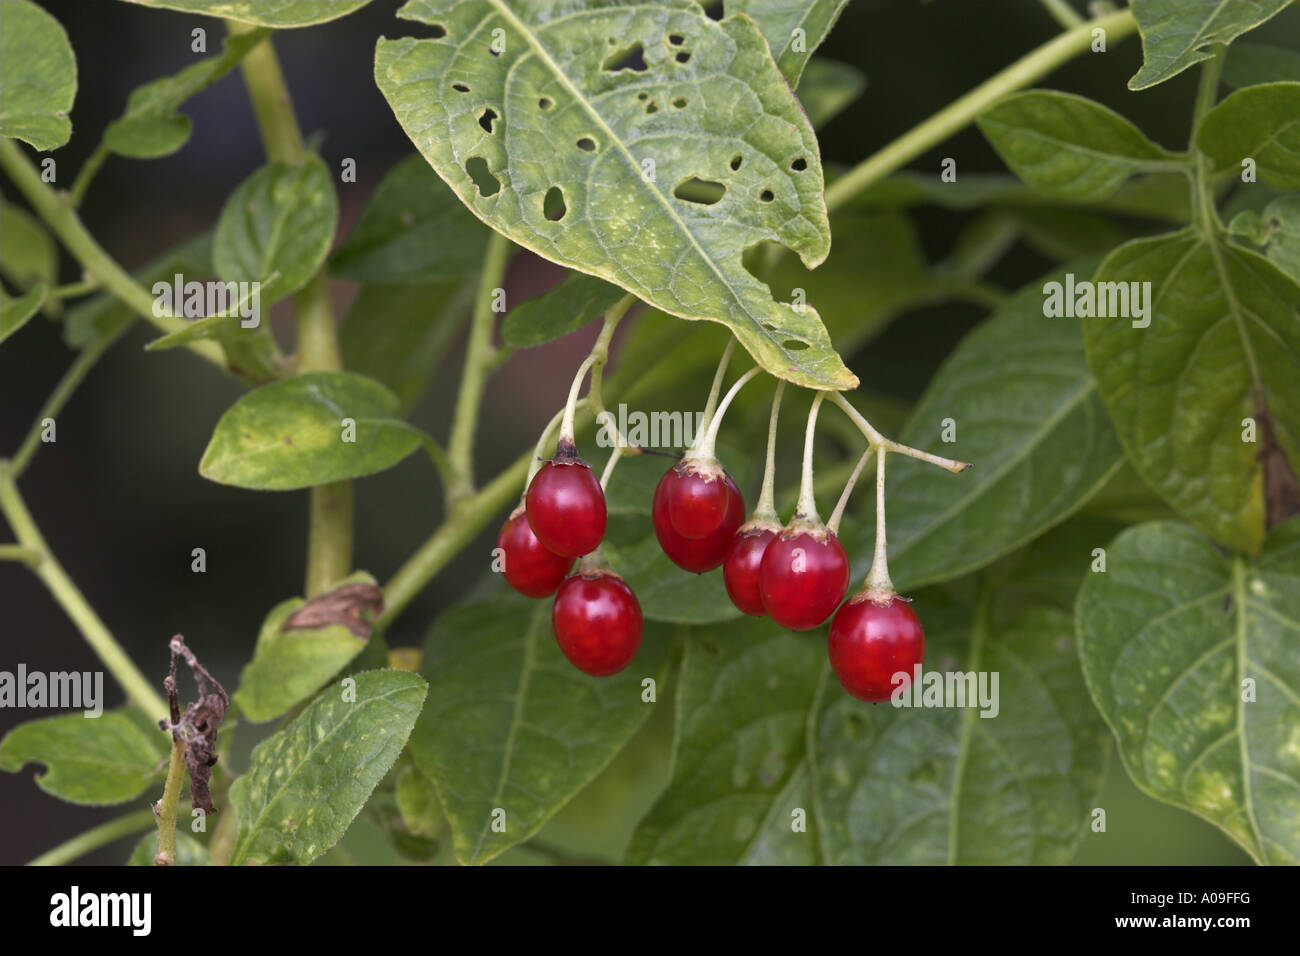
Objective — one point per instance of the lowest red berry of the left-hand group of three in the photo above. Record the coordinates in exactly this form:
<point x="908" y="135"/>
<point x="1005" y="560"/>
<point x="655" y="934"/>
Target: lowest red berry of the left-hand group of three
<point x="597" y="622"/>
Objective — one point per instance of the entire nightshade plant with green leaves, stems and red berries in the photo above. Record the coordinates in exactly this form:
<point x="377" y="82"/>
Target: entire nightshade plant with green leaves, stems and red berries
<point x="1125" y="553"/>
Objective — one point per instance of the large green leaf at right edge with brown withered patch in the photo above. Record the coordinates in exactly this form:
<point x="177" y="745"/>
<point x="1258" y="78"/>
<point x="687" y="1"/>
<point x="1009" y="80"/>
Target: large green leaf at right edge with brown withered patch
<point x="1223" y="335"/>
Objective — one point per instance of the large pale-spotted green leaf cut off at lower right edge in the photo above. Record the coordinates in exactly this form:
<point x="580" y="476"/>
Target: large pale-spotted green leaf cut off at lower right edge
<point x="1169" y="638"/>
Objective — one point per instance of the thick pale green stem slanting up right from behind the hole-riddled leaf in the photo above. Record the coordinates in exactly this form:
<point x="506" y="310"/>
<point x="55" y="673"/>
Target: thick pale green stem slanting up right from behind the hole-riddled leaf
<point x="963" y="111"/>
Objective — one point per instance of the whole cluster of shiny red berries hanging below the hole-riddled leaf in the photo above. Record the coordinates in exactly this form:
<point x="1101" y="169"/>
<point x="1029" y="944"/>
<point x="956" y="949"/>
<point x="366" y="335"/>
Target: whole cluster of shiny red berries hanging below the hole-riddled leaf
<point x="799" y="576"/>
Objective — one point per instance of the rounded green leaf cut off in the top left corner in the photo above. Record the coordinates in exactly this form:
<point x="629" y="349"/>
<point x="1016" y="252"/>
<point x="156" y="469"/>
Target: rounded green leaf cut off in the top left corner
<point x="38" y="76"/>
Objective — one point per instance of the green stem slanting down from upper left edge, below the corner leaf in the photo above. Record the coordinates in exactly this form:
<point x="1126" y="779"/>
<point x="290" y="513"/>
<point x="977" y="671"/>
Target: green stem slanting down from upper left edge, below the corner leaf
<point x="96" y="262"/>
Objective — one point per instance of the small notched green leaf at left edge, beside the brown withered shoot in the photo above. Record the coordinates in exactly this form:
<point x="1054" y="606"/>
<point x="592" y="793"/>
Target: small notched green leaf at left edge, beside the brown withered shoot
<point x="106" y="760"/>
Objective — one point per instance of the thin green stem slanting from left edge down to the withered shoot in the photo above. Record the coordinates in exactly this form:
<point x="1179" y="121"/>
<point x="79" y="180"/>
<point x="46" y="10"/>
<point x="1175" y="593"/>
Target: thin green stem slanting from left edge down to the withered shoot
<point x="54" y="577"/>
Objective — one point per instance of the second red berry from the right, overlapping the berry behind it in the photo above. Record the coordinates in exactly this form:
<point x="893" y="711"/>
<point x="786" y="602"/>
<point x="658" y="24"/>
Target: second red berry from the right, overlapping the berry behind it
<point x="804" y="577"/>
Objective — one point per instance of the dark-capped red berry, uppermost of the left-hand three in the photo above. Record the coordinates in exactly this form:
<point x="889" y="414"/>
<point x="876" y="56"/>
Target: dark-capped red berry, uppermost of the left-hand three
<point x="566" y="508"/>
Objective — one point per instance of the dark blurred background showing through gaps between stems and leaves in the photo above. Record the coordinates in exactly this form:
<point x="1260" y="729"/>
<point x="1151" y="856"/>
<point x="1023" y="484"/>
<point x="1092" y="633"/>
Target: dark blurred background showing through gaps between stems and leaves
<point x="119" y="496"/>
